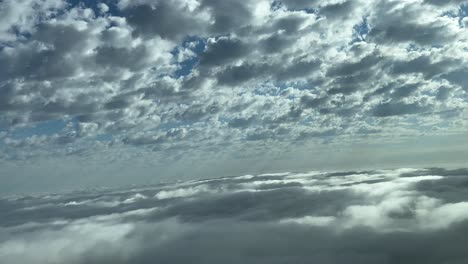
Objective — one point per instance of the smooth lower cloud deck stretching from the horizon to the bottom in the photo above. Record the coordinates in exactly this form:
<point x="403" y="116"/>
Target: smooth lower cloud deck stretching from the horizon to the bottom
<point x="380" y="216"/>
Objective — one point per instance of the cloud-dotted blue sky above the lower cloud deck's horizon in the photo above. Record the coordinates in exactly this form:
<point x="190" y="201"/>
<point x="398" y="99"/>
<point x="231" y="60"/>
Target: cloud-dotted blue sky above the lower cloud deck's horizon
<point x="118" y="92"/>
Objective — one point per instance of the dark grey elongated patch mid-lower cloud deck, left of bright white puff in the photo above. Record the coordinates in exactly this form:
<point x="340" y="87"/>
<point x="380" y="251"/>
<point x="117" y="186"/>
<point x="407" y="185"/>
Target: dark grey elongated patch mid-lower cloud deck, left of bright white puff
<point x="261" y="206"/>
